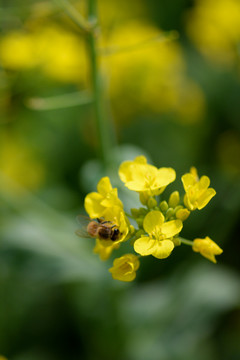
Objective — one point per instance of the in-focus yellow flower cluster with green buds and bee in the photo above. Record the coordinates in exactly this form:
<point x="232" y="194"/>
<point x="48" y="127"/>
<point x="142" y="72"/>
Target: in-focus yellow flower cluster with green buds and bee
<point x="159" y="222"/>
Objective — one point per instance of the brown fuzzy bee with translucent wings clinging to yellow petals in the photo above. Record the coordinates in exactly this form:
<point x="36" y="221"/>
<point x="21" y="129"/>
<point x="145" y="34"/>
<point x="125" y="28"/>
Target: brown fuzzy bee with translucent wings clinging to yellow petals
<point x="99" y="228"/>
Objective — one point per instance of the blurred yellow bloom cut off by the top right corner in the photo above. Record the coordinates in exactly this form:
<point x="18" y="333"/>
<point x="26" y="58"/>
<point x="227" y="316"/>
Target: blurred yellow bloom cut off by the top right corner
<point x="214" y="26"/>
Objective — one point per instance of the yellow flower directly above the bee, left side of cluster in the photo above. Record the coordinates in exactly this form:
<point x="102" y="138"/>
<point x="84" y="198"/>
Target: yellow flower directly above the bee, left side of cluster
<point x="96" y="203"/>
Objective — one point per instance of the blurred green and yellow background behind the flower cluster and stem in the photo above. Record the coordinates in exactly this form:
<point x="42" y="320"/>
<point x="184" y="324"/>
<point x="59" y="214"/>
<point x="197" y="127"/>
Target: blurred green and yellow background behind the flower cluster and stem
<point x="171" y="80"/>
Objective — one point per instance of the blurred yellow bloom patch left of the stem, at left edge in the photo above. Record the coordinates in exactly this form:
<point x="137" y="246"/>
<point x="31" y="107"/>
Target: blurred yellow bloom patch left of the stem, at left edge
<point x="59" y="53"/>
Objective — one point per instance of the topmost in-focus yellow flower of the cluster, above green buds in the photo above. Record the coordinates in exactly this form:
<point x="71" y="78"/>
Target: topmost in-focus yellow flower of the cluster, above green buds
<point x="142" y="177"/>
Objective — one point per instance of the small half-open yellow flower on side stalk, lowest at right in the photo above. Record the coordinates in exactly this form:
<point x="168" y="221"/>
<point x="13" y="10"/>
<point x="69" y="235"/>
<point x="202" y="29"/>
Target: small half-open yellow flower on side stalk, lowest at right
<point x="207" y="248"/>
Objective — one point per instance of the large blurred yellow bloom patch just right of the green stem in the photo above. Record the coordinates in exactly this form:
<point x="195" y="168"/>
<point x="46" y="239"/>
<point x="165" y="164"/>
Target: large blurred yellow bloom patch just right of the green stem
<point x="150" y="69"/>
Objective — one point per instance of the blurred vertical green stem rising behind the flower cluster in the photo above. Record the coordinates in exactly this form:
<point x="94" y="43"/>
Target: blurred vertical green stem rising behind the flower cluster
<point x="102" y="122"/>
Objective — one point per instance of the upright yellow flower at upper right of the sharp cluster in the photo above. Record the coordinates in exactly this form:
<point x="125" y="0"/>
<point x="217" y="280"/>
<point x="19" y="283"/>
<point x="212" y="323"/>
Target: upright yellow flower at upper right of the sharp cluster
<point x="198" y="194"/>
